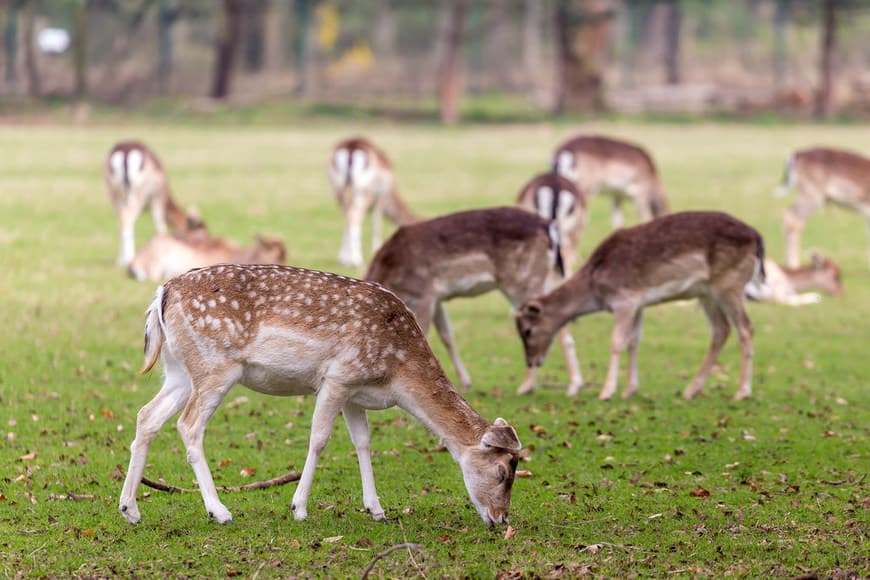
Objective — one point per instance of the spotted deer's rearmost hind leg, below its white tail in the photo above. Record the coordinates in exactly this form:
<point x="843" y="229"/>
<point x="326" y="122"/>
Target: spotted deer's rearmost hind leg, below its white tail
<point x="165" y="405"/>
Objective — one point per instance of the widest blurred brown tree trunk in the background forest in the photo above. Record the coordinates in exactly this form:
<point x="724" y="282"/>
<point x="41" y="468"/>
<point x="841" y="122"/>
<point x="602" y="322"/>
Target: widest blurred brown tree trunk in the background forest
<point x="582" y="37"/>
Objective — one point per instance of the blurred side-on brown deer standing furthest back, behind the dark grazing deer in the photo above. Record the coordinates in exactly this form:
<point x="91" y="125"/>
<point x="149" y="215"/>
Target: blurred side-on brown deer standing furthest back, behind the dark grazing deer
<point x="620" y="169"/>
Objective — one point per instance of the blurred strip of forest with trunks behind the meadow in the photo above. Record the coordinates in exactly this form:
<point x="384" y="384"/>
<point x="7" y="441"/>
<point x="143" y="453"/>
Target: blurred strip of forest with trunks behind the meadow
<point x="793" y="57"/>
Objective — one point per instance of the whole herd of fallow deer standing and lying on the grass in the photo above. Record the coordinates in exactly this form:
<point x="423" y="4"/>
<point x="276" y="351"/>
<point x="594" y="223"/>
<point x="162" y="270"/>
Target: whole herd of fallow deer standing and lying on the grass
<point x="234" y="315"/>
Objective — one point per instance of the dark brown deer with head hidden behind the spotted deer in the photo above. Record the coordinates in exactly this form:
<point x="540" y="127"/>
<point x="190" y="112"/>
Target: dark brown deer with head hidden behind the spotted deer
<point x="467" y="254"/>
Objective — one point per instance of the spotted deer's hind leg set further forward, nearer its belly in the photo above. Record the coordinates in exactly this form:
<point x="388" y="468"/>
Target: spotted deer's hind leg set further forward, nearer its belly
<point x="203" y="402"/>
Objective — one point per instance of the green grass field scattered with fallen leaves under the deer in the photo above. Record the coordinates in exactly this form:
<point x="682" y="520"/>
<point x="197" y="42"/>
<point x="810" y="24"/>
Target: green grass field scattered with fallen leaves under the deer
<point x="652" y="486"/>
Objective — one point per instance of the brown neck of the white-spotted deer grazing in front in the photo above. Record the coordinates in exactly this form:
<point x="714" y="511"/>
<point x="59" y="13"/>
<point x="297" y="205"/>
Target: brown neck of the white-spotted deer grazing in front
<point x="431" y="398"/>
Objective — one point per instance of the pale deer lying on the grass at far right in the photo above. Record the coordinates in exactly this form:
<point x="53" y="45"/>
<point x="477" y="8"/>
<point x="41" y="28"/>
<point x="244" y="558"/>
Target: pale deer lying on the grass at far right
<point x="788" y="285"/>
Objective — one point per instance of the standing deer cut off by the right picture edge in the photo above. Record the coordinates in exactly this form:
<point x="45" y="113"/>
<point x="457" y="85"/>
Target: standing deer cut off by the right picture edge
<point x="819" y="176"/>
